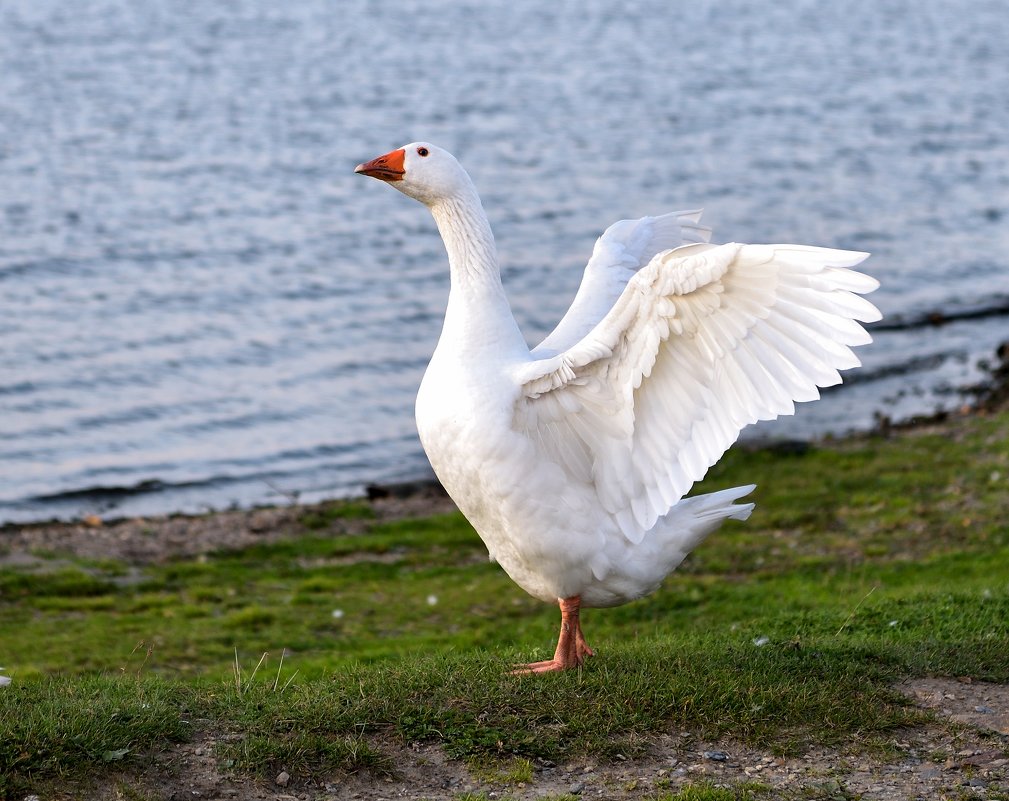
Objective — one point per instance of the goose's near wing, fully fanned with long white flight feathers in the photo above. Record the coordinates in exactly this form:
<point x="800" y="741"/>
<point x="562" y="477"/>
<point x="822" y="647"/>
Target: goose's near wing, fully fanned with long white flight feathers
<point x="703" y="341"/>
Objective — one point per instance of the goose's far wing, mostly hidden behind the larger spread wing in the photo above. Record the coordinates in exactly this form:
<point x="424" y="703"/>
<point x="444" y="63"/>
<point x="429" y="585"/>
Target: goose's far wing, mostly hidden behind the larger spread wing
<point x="622" y="251"/>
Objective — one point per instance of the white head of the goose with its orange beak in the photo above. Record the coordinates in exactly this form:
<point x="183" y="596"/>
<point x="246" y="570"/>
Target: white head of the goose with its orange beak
<point x="420" y="170"/>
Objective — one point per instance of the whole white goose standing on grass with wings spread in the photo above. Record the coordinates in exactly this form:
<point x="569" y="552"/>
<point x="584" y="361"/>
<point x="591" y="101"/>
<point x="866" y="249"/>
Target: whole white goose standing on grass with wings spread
<point x="572" y="461"/>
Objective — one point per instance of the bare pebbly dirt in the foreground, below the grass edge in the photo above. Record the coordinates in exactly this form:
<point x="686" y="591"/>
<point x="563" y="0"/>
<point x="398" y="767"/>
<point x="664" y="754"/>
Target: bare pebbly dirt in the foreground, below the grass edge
<point x="964" y="755"/>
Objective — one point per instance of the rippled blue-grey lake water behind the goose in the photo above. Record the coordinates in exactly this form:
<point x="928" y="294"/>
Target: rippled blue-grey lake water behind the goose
<point x="201" y="305"/>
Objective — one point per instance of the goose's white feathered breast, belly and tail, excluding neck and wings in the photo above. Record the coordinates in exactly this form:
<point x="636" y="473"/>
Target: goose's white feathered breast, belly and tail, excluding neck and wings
<point x="548" y="533"/>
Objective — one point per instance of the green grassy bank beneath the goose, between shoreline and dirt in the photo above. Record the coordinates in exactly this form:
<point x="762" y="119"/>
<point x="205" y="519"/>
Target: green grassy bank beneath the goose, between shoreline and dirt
<point x="867" y="561"/>
